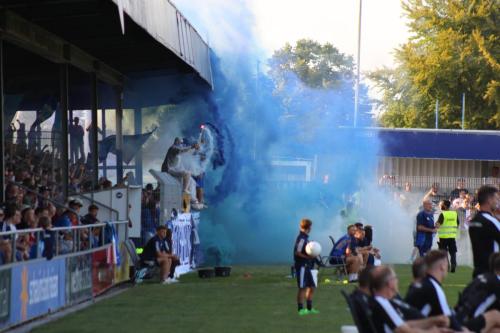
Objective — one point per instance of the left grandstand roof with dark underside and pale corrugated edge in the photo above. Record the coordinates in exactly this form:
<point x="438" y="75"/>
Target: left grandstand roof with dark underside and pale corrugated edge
<point x="157" y="41"/>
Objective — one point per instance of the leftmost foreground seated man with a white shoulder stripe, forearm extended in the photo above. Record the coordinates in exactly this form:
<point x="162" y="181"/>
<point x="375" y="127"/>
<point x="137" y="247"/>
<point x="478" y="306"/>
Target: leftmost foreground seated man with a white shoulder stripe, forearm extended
<point x="388" y="314"/>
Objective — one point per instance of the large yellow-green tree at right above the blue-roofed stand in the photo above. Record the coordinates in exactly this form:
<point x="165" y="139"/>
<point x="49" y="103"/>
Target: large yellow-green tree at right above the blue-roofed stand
<point x="454" y="49"/>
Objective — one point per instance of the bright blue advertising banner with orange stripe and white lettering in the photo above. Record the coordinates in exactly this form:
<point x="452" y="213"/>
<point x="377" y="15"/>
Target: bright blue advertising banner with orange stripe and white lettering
<point x="39" y="288"/>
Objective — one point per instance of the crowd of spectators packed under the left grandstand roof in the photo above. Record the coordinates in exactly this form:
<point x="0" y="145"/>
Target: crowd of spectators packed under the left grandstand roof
<point x="34" y="197"/>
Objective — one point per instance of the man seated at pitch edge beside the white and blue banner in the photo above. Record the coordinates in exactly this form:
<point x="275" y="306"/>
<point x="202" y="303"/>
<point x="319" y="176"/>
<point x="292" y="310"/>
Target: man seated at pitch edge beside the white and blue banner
<point x="158" y="250"/>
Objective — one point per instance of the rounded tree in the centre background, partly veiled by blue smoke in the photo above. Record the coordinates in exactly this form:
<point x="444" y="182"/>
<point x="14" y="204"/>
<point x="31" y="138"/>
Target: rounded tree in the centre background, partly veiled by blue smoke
<point x="314" y="83"/>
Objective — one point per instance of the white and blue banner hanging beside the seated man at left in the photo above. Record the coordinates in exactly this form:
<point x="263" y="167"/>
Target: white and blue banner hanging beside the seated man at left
<point x="181" y="237"/>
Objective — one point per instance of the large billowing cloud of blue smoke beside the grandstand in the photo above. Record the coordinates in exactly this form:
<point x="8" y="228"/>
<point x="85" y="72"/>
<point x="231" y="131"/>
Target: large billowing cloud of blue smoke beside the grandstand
<point x="252" y="218"/>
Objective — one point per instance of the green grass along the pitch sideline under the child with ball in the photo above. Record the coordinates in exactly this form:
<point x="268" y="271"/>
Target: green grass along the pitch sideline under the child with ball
<point x="254" y="299"/>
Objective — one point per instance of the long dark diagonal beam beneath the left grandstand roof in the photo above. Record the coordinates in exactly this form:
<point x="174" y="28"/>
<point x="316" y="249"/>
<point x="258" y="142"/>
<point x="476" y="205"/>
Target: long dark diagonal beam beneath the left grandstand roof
<point x="30" y="36"/>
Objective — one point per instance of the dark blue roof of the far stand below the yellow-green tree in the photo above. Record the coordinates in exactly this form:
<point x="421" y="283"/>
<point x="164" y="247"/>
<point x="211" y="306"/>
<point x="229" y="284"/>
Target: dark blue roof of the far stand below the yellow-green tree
<point x="440" y="143"/>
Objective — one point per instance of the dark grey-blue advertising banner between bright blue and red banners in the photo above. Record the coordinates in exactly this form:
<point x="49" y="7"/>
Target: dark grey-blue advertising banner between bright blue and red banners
<point x="78" y="278"/>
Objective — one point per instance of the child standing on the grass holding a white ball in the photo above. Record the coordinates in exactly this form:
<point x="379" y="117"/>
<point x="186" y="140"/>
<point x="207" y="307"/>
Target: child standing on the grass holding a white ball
<point x="304" y="263"/>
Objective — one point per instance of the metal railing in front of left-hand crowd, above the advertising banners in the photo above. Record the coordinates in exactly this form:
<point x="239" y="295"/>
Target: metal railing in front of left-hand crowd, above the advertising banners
<point x="68" y="240"/>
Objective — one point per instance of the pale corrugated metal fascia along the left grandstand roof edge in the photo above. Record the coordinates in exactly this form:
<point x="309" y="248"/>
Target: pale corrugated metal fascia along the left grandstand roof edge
<point x="168" y="26"/>
